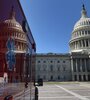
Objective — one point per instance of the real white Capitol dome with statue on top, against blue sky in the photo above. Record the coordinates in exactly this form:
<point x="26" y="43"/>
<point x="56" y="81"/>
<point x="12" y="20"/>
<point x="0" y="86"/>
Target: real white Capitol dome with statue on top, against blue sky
<point x="80" y="39"/>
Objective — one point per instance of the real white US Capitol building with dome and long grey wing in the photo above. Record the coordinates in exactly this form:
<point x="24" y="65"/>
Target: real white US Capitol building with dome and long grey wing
<point x="73" y="66"/>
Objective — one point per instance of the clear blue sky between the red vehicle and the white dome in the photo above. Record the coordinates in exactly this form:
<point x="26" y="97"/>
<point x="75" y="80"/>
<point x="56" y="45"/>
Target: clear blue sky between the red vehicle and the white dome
<point x="52" y="22"/>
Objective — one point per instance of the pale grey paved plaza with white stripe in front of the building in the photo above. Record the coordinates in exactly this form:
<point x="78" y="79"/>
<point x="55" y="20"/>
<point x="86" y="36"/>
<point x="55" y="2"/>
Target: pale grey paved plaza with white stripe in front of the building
<point x="65" y="91"/>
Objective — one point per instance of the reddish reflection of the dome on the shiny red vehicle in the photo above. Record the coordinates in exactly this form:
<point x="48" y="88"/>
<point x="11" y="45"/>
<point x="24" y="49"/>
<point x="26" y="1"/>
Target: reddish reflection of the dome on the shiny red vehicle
<point x="10" y="28"/>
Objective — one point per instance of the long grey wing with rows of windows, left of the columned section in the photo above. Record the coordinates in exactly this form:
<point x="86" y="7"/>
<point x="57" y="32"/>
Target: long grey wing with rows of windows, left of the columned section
<point x="53" y="67"/>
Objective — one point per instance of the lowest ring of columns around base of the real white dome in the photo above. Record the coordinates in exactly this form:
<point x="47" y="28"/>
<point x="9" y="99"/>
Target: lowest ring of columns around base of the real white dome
<point x="80" y="44"/>
